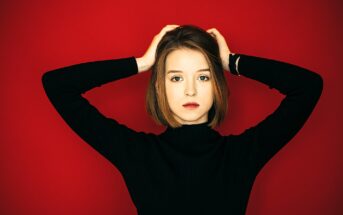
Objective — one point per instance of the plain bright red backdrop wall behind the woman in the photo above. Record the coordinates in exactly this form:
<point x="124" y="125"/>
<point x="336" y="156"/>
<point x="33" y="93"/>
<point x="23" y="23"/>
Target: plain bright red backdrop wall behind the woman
<point x="48" y="169"/>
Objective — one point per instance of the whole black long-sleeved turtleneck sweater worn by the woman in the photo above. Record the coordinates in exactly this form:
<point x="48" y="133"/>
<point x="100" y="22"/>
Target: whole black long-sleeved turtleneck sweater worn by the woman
<point x="191" y="169"/>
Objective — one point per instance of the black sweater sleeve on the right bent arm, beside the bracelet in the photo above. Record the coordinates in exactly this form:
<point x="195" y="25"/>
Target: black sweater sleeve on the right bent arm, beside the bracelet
<point x="302" y="89"/>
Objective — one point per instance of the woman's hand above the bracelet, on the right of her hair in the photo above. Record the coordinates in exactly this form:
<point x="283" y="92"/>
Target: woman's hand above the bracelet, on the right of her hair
<point x="223" y="47"/>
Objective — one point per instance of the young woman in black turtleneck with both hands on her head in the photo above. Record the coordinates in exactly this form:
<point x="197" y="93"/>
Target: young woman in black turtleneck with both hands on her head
<point x="189" y="168"/>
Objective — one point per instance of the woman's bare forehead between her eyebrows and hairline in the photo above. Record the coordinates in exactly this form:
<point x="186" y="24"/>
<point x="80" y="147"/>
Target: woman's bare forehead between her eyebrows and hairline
<point x="186" y="60"/>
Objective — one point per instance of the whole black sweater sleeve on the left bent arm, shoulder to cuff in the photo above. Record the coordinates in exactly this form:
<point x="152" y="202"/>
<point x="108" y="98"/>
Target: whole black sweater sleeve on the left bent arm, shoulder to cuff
<point x="64" y="88"/>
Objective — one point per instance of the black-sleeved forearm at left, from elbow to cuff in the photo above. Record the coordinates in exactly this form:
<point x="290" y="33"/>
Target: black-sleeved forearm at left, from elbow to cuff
<point x="81" y="77"/>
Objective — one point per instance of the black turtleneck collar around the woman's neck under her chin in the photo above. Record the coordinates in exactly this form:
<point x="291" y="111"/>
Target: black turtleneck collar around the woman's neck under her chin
<point x="192" y="135"/>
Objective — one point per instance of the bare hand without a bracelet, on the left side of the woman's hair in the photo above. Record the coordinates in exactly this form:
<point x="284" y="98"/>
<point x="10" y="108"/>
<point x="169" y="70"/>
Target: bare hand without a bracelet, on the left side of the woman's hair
<point x="148" y="59"/>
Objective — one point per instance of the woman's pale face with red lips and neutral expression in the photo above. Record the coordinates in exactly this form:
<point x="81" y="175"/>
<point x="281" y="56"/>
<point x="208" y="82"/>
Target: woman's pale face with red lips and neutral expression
<point x="188" y="80"/>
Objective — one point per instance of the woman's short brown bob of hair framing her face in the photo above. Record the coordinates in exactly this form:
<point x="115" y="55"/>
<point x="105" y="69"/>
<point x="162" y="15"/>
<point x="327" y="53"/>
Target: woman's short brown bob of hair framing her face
<point x="194" y="38"/>
